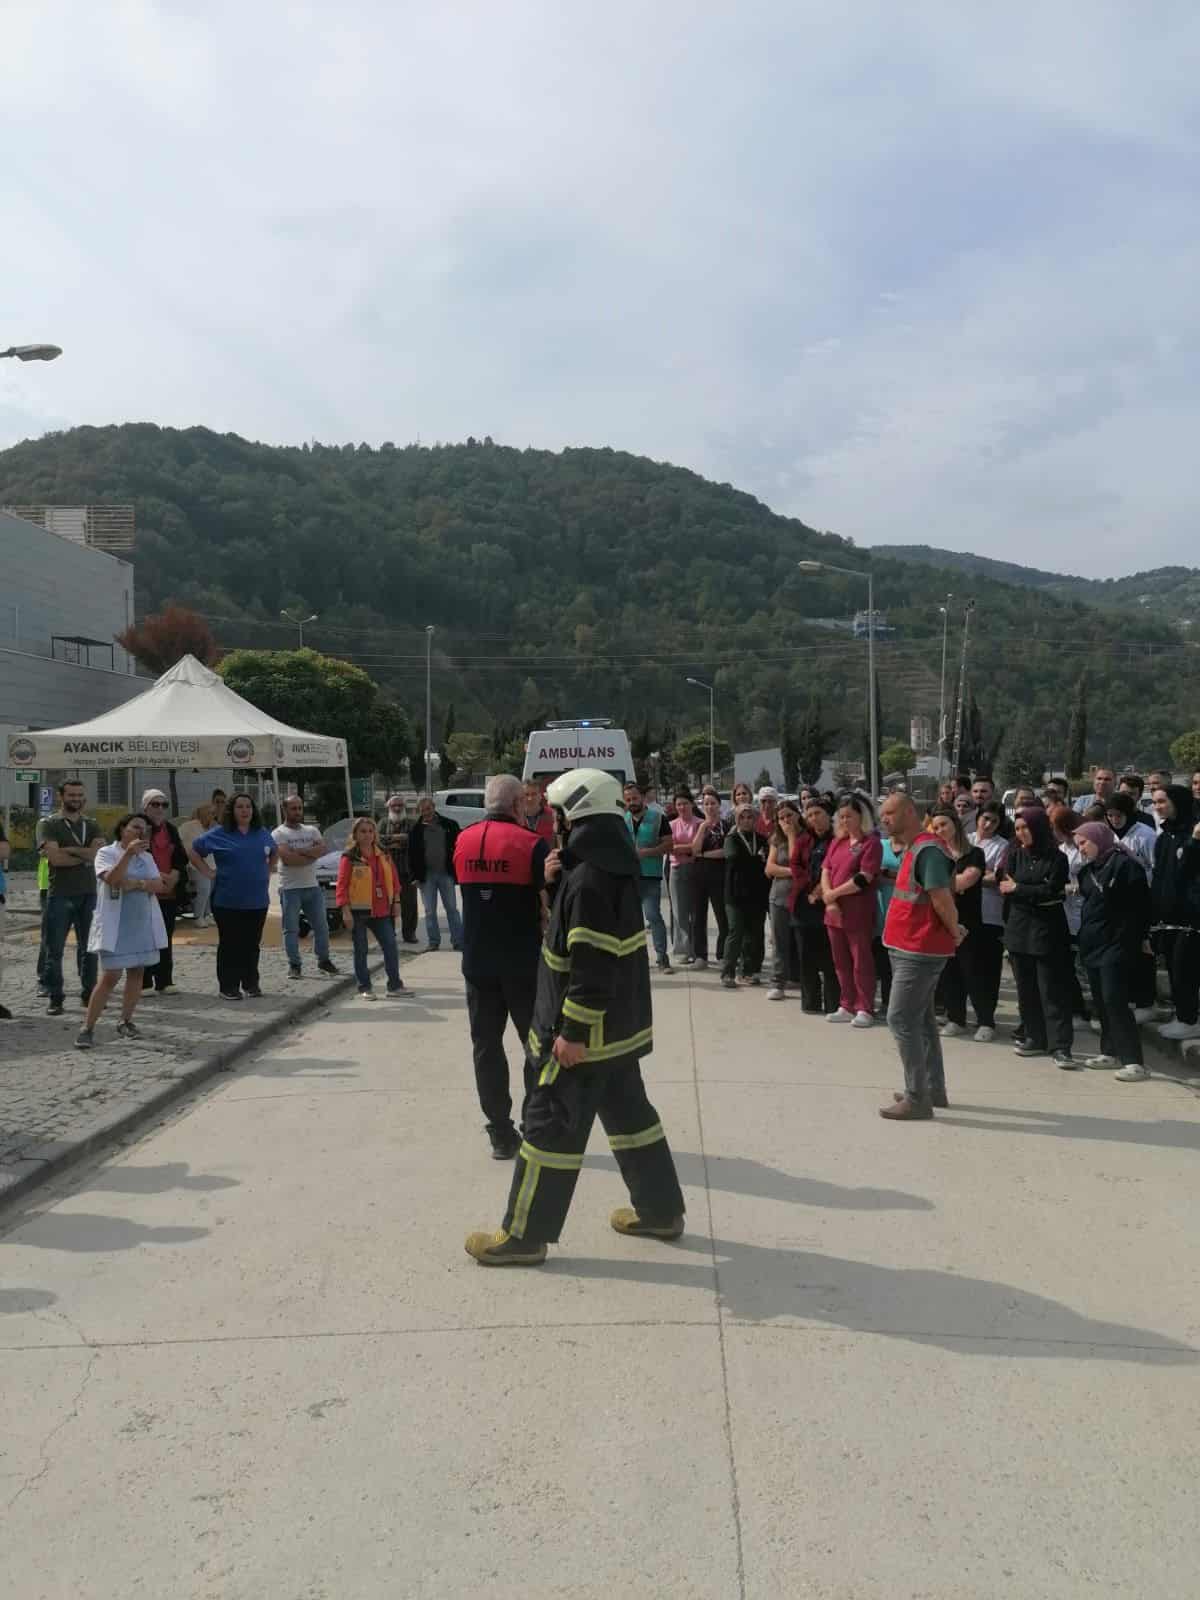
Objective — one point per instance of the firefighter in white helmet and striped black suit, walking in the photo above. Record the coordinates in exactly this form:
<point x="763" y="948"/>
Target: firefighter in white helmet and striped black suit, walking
<point x="591" y="1028"/>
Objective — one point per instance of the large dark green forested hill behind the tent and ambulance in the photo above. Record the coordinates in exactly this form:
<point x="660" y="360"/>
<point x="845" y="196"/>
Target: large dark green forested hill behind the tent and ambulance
<point x="585" y="582"/>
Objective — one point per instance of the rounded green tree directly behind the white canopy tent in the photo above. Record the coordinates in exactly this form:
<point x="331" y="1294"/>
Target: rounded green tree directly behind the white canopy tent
<point x="324" y="695"/>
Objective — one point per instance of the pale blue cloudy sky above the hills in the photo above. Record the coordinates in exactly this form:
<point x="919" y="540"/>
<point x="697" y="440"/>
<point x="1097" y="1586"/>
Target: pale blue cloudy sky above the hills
<point x="916" y="274"/>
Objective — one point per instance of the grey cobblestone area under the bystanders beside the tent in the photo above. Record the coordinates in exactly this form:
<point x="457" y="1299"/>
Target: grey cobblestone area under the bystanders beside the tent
<point x="55" y="1097"/>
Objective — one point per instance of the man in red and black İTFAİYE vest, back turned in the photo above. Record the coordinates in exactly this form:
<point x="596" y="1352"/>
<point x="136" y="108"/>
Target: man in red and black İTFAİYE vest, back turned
<point x="502" y="871"/>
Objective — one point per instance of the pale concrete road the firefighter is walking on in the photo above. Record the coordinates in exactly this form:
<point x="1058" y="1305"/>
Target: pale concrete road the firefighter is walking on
<point x="961" y="1361"/>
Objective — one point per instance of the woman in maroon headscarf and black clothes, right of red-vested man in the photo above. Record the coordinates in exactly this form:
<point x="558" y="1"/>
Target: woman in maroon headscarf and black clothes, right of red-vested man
<point x="1036" y="937"/>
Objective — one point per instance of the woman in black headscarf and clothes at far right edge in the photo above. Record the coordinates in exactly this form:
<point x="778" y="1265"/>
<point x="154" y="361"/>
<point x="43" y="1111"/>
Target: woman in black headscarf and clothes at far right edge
<point x="1175" y="892"/>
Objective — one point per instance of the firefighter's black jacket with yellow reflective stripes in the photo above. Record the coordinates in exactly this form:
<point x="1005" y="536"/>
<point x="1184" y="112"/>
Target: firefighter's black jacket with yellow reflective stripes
<point x="594" y="977"/>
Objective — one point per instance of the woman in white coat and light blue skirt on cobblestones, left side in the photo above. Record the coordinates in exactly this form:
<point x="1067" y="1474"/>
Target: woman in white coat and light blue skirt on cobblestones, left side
<point x="127" y="929"/>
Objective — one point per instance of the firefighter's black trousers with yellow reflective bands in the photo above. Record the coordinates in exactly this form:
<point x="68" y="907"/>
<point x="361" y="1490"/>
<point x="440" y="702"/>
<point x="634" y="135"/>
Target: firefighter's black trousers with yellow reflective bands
<point x="559" y="1119"/>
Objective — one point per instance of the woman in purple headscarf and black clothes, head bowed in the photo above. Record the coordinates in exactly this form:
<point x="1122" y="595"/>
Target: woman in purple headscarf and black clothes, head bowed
<point x="1116" y="916"/>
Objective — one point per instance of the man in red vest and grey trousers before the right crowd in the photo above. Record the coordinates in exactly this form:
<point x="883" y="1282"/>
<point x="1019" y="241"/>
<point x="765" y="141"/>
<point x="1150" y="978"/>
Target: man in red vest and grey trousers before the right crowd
<point x="921" y="935"/>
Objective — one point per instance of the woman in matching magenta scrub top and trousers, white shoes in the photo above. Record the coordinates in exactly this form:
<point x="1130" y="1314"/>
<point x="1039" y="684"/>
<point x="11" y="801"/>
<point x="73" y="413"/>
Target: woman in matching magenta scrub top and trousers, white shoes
<point x="849" y="890"/>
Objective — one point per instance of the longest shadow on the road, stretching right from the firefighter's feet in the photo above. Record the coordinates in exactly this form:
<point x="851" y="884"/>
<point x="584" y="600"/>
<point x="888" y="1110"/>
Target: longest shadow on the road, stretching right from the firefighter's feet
<point x="964" y="1314"/>
